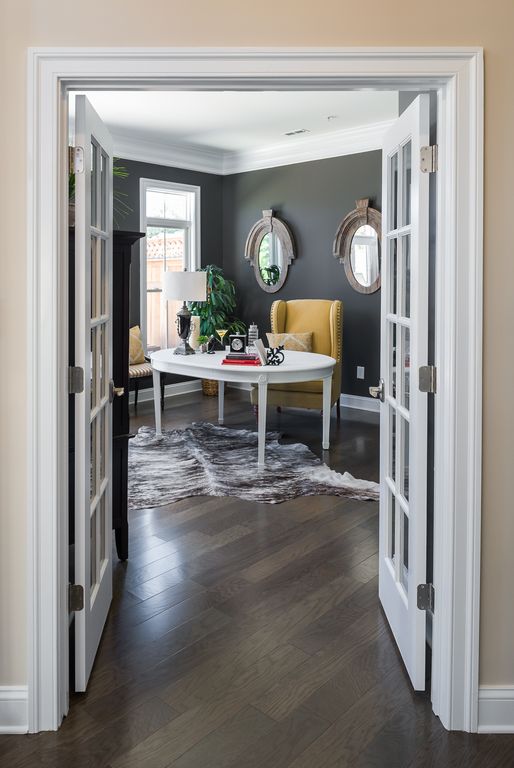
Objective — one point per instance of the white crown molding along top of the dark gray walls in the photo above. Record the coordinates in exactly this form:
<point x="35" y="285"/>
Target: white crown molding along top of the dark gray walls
<point x="302" y="149"/>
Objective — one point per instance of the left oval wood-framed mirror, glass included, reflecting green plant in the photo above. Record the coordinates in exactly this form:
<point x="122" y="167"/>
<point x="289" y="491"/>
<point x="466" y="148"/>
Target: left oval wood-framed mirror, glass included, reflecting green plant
<point x="270" y="249"/>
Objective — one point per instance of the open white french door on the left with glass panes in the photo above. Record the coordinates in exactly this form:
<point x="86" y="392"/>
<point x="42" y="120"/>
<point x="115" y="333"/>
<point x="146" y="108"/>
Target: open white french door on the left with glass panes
<point x="93" y="409"/>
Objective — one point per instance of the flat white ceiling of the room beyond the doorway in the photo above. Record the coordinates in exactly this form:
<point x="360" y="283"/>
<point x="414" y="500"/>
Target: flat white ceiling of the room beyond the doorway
<point x="235" y="121"/>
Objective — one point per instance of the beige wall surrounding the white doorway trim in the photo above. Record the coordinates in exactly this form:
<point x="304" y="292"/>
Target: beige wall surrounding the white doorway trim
<point x="236" y="23"/>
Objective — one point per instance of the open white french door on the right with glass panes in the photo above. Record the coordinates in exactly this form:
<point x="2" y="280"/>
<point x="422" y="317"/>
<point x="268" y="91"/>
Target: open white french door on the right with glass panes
<point x="403" y="411"/>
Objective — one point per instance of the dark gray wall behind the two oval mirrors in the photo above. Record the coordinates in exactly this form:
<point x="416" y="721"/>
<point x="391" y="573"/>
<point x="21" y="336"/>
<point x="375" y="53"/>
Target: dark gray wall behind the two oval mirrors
<point x="312" y="198"/>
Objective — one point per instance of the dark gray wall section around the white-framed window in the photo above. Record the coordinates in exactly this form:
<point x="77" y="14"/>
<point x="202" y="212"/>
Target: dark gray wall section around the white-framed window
<point x="210" y="205"/>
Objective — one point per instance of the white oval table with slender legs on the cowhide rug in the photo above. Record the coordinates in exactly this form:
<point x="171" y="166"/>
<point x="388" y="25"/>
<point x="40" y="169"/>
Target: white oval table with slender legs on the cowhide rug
<point x="297" y="366"/>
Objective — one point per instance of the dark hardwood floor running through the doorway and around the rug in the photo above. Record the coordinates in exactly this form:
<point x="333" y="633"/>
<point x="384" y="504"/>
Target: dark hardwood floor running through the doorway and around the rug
<point x="245" y="635"/>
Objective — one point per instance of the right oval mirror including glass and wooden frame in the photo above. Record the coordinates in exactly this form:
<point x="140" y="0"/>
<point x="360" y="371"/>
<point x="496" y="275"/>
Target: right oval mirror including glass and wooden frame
<point x="357" y="245"/>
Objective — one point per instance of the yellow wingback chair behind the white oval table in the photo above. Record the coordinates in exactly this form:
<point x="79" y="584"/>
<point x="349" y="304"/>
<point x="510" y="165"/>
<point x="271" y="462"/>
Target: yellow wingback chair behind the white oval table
<point x="325" y="319"/>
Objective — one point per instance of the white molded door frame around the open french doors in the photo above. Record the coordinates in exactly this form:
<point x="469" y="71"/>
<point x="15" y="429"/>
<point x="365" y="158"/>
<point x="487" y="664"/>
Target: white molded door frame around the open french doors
<point x="457" y="73"/>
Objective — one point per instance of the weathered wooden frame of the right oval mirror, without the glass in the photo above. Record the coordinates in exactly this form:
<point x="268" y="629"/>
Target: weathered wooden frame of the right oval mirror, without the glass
<point x="342" y="249"/>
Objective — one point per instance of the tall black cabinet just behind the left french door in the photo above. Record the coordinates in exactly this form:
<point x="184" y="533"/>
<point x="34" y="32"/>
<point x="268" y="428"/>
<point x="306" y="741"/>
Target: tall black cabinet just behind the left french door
<point x="121" y="257"/>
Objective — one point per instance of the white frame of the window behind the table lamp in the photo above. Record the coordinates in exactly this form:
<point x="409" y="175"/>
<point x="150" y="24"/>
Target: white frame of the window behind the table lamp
<point x="192" y="225"/>
